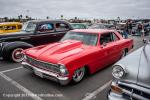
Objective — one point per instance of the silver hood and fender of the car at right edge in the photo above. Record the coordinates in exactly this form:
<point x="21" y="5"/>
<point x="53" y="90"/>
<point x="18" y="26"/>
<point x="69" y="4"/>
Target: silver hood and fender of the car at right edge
<point x="137" y="67"/>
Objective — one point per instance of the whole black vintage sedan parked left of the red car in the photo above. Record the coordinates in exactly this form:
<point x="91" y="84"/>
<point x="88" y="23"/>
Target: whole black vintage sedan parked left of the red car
<point x="33" y="33"/>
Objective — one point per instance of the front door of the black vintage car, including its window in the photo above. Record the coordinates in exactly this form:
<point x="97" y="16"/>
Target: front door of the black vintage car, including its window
<point x="45" y="33"/>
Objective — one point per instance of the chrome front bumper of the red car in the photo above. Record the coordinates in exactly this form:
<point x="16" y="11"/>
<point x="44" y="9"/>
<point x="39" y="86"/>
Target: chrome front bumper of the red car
<point x="46" y="74"/>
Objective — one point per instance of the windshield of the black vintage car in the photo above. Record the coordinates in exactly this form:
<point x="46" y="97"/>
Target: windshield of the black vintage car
<point x="29" y="27"/>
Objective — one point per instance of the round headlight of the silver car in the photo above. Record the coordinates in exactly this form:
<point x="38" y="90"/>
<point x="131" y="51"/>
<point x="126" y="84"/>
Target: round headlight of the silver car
<point x="118" y="72"/>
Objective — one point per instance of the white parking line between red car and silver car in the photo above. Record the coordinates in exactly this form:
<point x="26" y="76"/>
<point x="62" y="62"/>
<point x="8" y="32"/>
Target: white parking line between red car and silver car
<point x="94" y="93"/>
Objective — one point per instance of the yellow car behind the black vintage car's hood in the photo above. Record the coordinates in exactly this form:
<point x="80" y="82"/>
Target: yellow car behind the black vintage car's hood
<point x="10" y="27"/>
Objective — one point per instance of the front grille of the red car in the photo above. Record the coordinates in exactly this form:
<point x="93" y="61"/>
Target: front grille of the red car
<point x="43" y="65"/>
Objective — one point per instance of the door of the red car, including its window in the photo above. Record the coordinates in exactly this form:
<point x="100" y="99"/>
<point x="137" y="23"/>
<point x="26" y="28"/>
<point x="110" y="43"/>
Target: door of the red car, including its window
<point x="102" y="58"/>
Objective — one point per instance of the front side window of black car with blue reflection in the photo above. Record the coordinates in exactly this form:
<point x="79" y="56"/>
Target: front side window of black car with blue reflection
<point x="44" y="28"/>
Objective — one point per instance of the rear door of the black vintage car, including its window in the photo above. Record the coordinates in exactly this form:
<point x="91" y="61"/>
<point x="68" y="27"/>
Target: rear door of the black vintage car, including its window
<point x="61" y="29"/>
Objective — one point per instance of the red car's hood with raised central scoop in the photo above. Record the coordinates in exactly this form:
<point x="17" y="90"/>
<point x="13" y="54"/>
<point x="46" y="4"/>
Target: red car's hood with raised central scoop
<point x="56" y="52"/>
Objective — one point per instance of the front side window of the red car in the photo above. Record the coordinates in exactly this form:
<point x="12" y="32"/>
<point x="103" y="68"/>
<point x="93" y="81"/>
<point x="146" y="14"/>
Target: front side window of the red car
<point x="105" y="38"/>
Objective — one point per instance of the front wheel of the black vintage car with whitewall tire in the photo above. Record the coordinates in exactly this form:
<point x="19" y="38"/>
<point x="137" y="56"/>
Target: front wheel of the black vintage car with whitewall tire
<point x="17" y="55"/>
